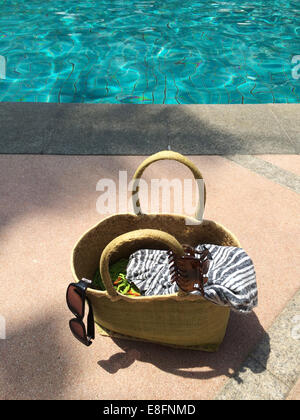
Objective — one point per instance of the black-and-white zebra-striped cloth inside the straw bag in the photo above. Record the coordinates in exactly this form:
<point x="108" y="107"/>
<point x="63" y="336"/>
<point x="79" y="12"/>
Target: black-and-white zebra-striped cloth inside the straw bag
<point x="231" y="276"/>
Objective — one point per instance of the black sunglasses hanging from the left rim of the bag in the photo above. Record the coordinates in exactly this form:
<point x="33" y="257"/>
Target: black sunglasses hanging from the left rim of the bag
<point x="76" y="297"/>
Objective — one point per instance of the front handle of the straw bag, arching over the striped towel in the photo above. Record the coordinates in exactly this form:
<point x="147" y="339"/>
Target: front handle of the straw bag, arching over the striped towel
<point x="135" y="240"/>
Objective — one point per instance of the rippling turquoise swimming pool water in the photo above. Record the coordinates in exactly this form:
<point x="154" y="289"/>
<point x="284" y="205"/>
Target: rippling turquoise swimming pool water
<point x="147" y="51"/>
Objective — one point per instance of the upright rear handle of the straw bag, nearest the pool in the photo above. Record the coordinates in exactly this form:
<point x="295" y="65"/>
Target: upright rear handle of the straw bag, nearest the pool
<point x="166" y="155"/>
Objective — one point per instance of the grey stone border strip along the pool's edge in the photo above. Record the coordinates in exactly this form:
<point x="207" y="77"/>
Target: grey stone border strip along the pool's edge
<point x="85" y="129"/>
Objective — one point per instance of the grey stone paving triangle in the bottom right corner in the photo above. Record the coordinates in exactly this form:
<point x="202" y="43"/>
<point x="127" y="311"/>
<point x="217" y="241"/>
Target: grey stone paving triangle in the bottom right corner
<point x="275" y="376"/>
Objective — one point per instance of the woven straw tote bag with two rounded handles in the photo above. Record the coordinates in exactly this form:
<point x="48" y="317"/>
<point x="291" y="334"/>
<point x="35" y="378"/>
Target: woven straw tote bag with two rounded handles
<point x="177" y="320"/>
